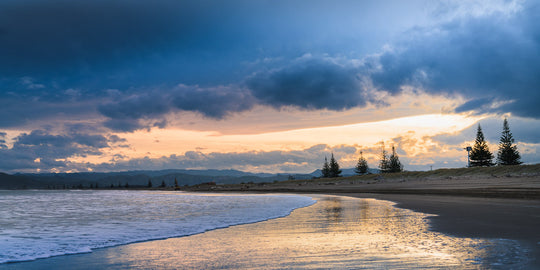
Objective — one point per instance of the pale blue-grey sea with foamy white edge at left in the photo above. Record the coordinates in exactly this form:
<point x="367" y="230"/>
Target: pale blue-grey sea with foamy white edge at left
<point x="40" y="223"/>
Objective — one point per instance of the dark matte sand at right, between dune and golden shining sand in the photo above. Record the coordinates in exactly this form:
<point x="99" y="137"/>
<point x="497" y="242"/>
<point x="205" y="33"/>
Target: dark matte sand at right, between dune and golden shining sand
<point x="476" y="217"/>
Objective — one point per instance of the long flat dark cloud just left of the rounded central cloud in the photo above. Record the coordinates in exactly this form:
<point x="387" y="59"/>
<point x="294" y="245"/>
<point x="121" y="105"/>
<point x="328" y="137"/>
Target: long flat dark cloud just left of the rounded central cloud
<point x="128" y="113"/>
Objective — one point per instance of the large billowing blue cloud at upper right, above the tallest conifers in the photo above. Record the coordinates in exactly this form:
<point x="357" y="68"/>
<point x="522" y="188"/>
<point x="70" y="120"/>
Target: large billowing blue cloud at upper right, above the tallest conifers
<point x="492" y="60"/>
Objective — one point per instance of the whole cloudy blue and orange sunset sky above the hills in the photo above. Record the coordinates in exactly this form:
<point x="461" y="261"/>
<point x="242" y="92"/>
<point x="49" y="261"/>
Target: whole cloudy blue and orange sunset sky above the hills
<point x="263" y="86"/>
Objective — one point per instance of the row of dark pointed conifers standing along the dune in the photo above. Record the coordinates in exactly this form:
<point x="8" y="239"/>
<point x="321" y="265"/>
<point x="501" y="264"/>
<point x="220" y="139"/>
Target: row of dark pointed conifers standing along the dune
<point x="479" y="156"/>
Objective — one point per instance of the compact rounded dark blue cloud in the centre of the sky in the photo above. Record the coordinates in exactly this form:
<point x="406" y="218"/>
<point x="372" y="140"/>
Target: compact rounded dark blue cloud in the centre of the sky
<point x="312" y="83"/>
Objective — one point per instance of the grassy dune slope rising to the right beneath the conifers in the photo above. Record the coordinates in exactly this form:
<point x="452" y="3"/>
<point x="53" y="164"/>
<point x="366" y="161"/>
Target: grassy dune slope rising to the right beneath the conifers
<point x="501" y="181"/>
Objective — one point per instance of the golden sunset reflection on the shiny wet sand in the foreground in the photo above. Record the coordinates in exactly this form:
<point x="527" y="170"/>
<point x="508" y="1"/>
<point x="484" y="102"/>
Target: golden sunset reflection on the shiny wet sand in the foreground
<point x="336" y="232"/>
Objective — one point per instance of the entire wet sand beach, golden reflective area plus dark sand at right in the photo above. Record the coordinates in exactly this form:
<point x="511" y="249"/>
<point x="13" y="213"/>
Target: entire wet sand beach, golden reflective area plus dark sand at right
<point x="342" y="232"/>
